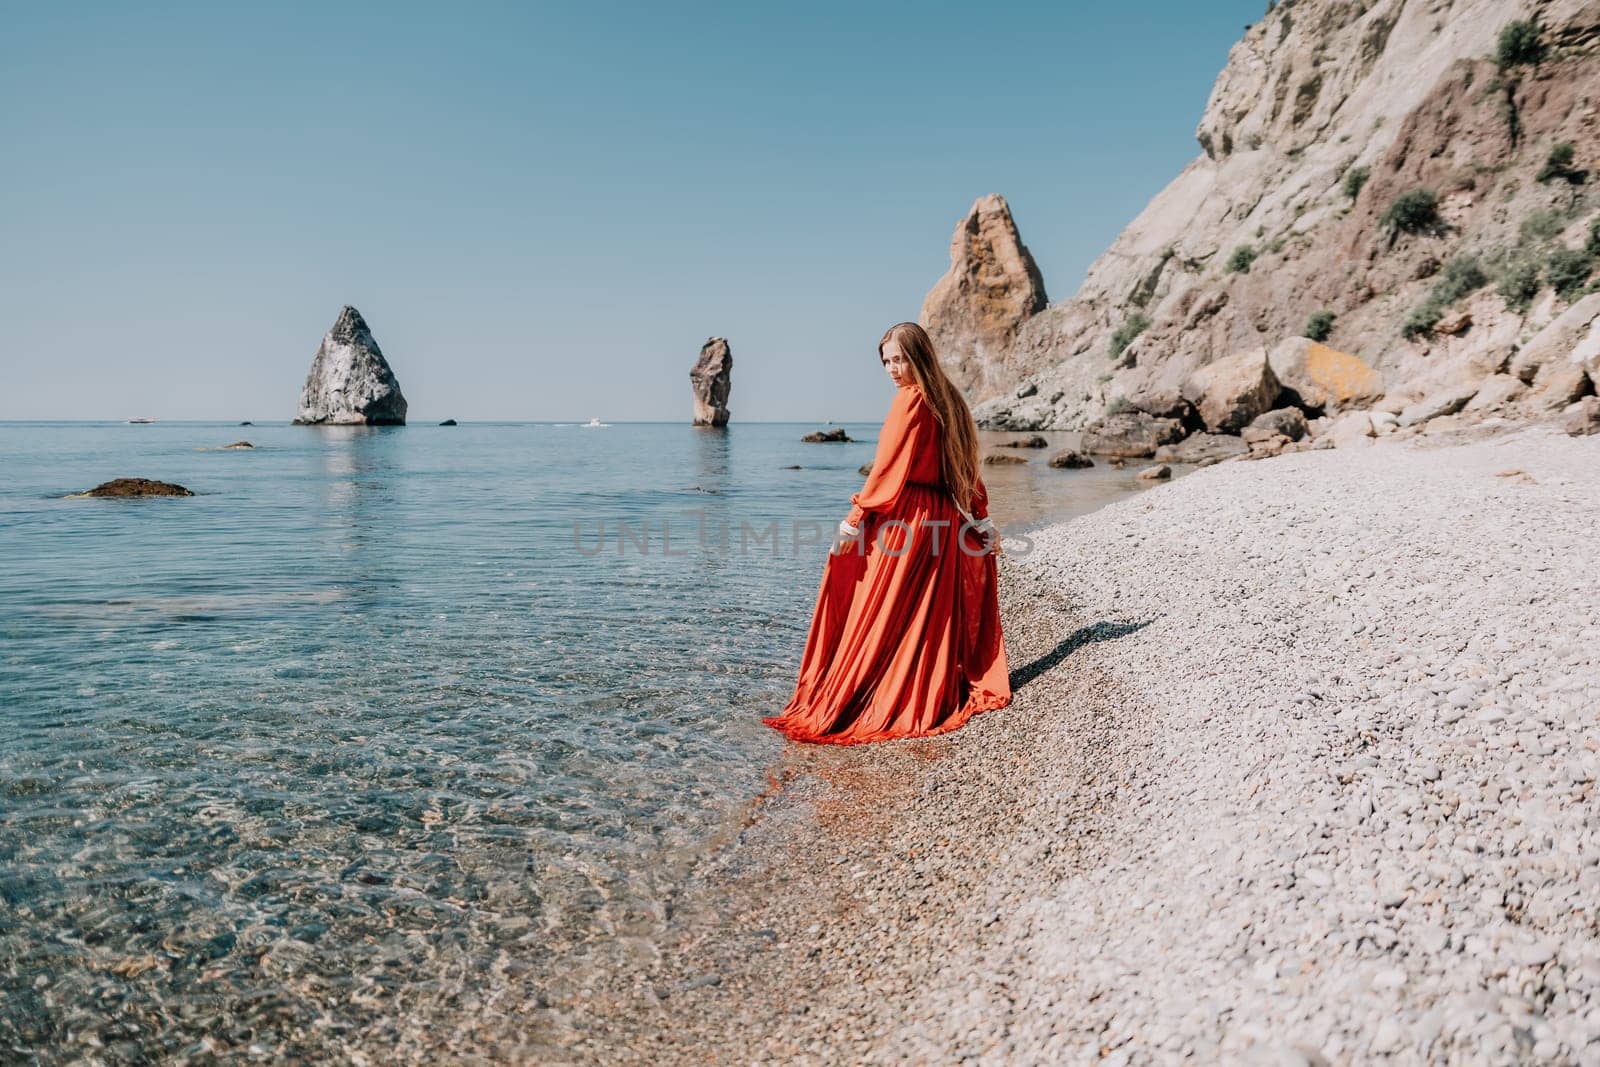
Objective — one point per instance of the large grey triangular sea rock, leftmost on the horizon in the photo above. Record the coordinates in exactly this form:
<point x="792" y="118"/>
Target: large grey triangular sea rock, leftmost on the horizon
<point x="350" y="380"/>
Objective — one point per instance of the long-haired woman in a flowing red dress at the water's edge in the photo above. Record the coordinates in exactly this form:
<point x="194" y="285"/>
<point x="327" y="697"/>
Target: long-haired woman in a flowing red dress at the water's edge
<point x="906" y="637"/>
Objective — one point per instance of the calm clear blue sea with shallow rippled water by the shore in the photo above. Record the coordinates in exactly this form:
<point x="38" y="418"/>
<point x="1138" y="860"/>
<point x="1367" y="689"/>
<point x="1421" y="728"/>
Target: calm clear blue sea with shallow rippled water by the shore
<point x="385" y="716"/>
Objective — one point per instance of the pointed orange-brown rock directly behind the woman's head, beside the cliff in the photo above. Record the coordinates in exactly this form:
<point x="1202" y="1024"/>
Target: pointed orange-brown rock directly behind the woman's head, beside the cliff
<point x="991" y="290"/>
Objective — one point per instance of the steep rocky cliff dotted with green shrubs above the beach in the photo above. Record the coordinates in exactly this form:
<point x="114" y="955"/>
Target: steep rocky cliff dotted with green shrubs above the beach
<point x="1406" y="183"/>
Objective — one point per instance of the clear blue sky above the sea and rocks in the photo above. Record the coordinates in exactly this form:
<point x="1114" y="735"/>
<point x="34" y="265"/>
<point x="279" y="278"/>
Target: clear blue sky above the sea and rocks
<point x="545" y="210"/>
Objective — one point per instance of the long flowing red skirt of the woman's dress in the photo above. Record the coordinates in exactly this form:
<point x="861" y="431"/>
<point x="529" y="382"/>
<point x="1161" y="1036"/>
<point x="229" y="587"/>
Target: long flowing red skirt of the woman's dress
<point x="906" y="636"/>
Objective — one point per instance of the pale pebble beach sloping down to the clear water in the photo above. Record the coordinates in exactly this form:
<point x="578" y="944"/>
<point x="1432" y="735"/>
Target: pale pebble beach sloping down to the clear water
<point x="1302" y="769"/>
